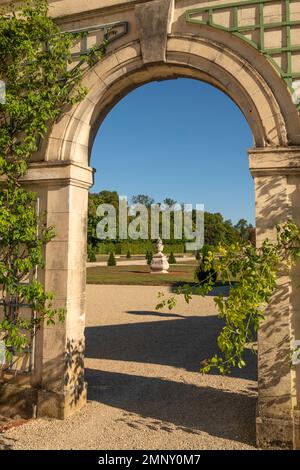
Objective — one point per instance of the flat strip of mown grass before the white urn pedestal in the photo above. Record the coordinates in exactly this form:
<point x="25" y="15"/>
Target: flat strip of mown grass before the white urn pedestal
<point x="140" y="275"/>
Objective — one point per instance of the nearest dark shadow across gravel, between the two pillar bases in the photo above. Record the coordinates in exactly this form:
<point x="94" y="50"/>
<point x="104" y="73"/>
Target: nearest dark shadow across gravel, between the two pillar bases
<point x="175" y="405"/>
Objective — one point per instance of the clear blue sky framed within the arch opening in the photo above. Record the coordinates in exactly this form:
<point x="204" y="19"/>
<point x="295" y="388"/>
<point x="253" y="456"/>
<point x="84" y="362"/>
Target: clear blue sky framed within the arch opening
<point x="182" y="139"/>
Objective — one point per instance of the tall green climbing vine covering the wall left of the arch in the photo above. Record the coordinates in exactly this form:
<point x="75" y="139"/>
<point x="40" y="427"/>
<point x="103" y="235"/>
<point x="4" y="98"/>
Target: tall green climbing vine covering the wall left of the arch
<point x="34" y="55"/>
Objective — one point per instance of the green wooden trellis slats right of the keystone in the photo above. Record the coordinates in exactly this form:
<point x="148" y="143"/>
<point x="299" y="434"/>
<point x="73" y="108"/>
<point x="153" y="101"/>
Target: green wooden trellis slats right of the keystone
<point x="208" y="12"/>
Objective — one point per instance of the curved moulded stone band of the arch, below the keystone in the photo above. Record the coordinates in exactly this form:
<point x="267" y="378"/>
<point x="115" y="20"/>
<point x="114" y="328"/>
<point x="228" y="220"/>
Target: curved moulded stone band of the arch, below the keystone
<point x="124" y="69"/>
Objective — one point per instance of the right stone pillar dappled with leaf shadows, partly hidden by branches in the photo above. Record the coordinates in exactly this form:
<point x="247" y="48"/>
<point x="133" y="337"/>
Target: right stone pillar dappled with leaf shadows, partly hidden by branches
<point x="276" y="175"/>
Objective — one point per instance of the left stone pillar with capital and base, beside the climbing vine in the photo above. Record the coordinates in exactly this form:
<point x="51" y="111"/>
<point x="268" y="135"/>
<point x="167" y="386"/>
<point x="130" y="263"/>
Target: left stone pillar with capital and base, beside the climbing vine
<point x="56" y="386"/>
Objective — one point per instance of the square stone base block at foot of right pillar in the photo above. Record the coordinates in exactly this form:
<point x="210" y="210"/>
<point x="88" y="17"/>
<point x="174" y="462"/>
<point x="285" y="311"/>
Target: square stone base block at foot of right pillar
<point x="274" y="433"/>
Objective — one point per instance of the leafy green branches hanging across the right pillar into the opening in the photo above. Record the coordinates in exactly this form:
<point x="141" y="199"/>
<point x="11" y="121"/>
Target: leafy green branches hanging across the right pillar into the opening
<point x="255" y="271"/>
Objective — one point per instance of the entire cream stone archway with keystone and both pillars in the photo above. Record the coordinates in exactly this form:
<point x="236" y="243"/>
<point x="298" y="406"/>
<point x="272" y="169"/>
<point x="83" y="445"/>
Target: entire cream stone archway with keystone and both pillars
<point x="162" y="45"/>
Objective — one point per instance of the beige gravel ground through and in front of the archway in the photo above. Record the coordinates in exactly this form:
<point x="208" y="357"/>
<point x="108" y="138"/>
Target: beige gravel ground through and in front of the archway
<point x="145" y="391"/>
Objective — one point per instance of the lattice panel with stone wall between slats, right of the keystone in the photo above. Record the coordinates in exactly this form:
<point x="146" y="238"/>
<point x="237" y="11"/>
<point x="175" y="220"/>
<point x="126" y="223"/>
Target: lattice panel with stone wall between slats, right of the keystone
<point x="271" y="26"/>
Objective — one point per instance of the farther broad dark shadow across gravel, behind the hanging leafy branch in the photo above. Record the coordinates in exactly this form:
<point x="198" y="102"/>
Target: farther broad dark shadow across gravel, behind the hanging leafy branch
<point x="181" y="342"/>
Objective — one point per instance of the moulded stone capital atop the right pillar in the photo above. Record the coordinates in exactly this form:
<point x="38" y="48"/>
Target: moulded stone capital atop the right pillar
<point x="274" y="161"/>
